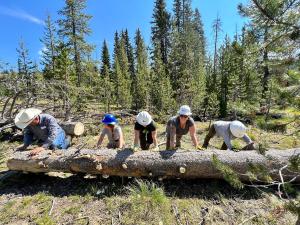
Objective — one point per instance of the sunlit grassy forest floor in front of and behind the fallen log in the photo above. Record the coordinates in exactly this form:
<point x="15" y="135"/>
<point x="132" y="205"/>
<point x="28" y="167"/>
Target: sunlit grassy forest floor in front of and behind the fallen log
<point x="60" y="198"/>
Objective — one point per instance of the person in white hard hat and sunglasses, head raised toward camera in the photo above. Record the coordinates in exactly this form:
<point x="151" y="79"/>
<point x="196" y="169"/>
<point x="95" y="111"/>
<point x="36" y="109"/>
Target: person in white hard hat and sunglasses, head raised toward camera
<point x="180" y="125"/>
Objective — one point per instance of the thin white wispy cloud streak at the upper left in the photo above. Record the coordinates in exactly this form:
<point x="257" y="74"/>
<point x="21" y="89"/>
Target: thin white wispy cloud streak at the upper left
<point x="17" y="13"/>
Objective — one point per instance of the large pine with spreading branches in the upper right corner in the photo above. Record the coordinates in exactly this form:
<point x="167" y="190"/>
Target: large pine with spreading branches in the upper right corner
<point x="276" y="25"/>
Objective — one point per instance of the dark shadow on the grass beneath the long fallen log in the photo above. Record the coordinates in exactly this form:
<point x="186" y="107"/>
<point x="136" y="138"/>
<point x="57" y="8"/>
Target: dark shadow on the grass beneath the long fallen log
<point x="21" y="184"/>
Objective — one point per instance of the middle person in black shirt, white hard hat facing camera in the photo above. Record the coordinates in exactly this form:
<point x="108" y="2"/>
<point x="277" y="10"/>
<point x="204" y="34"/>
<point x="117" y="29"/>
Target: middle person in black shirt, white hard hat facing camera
<point x="145" y="132"/>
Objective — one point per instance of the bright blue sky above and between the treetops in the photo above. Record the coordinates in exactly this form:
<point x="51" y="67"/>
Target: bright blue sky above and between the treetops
<point x="23" y="19"/>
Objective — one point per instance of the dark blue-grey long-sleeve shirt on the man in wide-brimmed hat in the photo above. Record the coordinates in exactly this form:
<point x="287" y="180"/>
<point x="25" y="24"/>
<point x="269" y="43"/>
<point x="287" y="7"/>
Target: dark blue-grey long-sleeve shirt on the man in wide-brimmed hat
<point x="45" y="132"/>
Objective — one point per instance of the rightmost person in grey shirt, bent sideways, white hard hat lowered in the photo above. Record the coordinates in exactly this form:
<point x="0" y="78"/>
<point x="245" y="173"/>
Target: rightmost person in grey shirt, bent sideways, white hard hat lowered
<point x="228" y="131"/>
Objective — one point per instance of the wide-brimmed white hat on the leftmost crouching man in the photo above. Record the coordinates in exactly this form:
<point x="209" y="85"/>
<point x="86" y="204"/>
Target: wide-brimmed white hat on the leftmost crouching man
<point x="26" y="116"/>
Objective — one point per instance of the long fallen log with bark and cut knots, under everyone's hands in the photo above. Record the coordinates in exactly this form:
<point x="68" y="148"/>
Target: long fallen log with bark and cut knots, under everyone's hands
<point x="164" y="164"/>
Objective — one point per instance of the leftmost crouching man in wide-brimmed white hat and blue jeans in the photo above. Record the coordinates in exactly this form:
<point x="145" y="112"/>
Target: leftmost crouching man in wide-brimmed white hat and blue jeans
<point x="41" y="127"/>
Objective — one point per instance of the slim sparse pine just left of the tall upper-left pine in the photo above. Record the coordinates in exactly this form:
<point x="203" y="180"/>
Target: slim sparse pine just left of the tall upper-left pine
<point x="49" y="53"/>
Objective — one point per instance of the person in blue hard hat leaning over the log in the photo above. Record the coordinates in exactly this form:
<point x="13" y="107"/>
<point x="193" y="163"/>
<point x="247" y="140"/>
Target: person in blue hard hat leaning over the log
<point x="113" y="132"/>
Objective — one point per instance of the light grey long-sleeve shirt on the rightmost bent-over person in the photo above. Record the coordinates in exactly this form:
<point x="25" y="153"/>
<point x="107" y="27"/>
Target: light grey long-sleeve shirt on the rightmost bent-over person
<point x="223" y="130"/>
